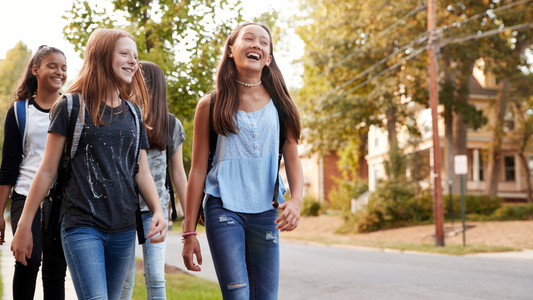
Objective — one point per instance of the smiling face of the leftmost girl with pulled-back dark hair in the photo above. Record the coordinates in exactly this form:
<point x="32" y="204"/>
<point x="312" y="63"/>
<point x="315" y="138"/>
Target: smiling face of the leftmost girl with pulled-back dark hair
<point x="52" y="72"/>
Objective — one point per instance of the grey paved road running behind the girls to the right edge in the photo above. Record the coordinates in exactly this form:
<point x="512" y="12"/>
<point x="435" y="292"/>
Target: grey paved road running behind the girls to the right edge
<point x="317" y="272"/>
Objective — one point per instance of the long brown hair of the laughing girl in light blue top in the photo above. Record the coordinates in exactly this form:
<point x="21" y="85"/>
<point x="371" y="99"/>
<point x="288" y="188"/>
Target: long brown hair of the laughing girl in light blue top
<point x="227" y="99"/>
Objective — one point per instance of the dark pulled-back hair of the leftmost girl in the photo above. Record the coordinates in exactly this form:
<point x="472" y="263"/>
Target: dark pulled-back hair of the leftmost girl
<point x="27" y="86"/>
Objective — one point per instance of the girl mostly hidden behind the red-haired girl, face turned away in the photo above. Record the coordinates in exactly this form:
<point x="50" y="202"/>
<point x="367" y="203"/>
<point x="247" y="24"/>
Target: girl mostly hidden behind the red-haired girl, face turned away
<point x="165" y="139"/>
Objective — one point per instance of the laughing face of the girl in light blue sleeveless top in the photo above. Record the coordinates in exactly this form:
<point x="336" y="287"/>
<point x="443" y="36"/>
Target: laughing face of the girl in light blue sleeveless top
<point x="251" y="49"/>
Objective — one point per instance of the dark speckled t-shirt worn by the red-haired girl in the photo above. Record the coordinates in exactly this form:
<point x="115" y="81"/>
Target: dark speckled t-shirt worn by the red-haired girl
<point x="100" y="192"/>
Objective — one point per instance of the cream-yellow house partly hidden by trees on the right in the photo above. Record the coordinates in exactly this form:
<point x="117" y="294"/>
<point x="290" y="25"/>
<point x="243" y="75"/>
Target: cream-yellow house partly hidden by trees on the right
<point x="483" y="89"/>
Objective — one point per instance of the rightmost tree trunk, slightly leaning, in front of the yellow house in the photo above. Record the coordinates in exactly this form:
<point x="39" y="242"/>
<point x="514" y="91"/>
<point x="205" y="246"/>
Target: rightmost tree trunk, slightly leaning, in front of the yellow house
<point x="494" y="163"/>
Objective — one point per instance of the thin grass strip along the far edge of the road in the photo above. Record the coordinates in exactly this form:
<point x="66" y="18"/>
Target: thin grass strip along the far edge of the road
<point x="451" y="249"/>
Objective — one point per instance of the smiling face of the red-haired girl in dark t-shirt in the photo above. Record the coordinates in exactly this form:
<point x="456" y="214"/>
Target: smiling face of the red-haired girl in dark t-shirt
<point x="125" y="59"/>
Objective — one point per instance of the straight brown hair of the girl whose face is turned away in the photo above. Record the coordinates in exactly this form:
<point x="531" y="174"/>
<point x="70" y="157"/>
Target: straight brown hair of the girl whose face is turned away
<point x="158" y="116"/>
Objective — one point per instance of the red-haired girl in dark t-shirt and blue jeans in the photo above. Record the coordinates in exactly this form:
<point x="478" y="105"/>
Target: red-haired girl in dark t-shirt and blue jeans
<point x="100" y="199"/>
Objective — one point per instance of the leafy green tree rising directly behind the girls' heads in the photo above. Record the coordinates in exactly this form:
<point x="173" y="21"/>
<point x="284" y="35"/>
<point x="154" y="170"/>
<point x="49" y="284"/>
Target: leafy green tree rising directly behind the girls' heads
<point x="161" y="28"/>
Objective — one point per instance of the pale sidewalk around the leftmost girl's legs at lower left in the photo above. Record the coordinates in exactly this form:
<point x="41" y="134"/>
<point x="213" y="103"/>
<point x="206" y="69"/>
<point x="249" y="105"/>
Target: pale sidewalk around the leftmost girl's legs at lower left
<point x="7" y="263"/>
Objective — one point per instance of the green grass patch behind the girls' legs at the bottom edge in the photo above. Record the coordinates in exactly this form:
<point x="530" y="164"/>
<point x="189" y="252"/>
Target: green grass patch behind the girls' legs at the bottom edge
<point x="181" y="286"/>
